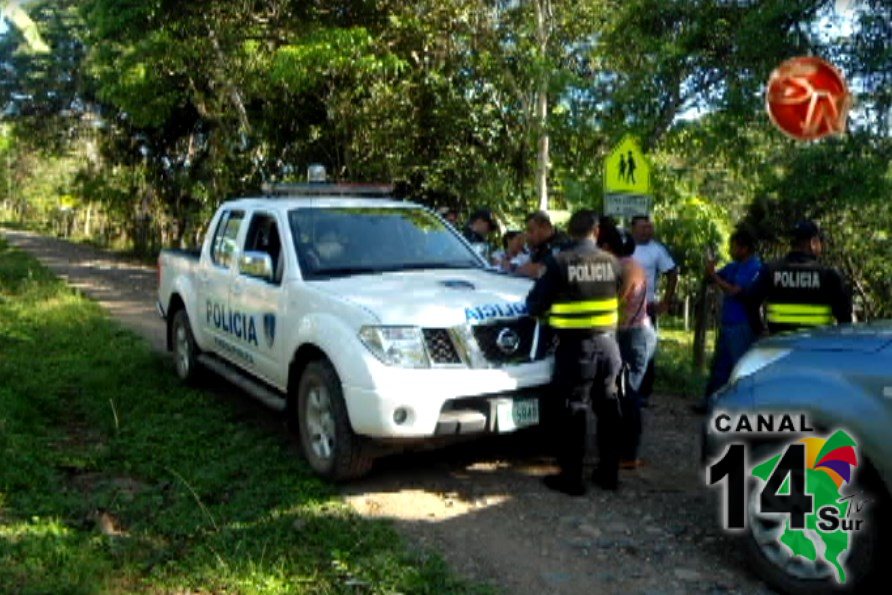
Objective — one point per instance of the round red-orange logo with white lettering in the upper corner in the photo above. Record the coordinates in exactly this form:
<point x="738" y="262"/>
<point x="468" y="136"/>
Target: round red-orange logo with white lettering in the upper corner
<point x="807" y="98"/>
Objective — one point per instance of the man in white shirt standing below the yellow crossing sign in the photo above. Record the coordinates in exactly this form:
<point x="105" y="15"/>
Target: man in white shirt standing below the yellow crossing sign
<point x="656" y="261"/>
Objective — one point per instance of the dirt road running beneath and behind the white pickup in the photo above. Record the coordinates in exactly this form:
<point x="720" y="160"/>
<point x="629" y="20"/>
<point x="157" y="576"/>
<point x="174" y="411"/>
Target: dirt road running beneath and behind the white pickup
<point x="482" y="505"/>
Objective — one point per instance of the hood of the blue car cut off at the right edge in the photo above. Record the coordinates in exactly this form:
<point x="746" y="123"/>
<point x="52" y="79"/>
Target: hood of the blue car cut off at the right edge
<point x="866" y="338"/>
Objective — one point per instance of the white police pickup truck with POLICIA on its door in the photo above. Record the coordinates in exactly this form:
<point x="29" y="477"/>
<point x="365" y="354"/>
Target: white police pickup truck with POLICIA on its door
<point x="364" y="319"/>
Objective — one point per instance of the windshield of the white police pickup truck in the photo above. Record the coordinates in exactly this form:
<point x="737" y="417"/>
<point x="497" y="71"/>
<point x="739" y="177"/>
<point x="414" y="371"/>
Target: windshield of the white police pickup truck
<point x="344" y="241"/>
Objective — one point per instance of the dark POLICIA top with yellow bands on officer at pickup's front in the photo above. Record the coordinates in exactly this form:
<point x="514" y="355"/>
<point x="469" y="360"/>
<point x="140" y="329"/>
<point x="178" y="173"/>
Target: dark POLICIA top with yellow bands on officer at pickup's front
<point x="578" y="290"/>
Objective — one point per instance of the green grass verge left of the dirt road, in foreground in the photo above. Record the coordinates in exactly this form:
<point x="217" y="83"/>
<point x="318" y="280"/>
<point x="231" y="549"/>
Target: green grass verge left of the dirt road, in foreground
<point x="114" y="478"/>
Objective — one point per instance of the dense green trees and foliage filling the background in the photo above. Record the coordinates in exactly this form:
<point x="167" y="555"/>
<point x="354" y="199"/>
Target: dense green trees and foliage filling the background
<point x="145" y="115"/>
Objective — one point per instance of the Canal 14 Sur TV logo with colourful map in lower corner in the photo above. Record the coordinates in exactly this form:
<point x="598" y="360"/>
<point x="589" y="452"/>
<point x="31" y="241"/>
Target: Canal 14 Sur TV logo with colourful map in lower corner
<point x="803" y="486"/>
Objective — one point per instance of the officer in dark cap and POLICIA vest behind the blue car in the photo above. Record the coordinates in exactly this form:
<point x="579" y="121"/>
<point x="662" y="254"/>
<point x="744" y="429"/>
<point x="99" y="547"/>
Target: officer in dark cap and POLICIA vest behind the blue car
<point x="799" y="292"/>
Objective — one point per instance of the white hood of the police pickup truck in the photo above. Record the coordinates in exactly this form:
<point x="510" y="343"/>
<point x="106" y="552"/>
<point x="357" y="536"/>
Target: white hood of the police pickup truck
<point x="433" y="298"/>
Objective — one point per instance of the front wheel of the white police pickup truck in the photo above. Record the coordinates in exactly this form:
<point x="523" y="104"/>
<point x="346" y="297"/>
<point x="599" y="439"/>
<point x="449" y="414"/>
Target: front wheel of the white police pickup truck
<point x="329" y="444"/>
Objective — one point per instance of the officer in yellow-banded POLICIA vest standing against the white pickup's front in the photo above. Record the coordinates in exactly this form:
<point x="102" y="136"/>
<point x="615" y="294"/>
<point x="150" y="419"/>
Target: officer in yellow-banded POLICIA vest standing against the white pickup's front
<point x="578" y="293"/>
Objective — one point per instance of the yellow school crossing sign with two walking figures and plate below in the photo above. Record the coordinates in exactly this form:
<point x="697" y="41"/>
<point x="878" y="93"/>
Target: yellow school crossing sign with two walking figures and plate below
<point x="627" y="180"/>
